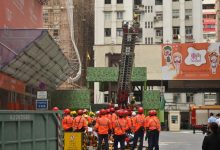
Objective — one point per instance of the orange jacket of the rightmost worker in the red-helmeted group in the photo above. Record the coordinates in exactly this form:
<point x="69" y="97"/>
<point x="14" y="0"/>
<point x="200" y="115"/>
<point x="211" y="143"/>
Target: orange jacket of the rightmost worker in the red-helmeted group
<point x="153" y="123"/>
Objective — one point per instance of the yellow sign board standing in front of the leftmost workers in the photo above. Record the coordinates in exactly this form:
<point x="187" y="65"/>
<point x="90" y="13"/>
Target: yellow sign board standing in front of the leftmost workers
<point x="73" y="141"/>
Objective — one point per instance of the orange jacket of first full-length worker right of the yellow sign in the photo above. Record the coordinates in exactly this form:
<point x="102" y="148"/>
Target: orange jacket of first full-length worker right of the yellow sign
<point x="103" y="124"/>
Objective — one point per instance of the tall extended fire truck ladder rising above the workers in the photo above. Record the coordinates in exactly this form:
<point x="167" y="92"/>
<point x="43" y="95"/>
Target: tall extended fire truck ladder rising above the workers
<point x="126" y="63"/>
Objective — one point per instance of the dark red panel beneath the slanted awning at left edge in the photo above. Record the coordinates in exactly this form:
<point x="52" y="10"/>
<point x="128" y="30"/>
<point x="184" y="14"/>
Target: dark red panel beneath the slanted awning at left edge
<point x="11" y="84"/>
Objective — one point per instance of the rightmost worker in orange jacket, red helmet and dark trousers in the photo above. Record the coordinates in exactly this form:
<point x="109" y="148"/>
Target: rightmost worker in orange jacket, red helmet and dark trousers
<point x="153" y="127"/>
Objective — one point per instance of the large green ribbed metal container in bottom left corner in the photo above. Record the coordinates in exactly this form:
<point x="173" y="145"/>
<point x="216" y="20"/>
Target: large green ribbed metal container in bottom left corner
<point x="28" y="130"/>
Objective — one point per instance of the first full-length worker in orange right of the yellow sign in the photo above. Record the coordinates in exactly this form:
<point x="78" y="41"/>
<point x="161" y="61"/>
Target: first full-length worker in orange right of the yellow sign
<point x="103" y="125"/>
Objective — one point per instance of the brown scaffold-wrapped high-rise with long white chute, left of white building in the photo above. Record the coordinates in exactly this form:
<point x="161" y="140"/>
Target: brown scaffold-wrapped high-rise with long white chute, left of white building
<point x="62" y="18"/>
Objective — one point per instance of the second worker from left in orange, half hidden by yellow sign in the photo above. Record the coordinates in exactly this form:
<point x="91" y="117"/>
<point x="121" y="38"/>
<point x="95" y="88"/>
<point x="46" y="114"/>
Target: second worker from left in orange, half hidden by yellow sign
<point x="80" y="123"/>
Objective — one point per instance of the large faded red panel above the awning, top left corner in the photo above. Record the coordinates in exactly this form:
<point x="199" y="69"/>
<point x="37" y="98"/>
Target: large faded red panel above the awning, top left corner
<point x="21" y="14"/>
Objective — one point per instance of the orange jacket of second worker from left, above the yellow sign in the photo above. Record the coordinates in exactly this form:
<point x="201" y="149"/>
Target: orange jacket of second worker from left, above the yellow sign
<point x="79" y="122"/>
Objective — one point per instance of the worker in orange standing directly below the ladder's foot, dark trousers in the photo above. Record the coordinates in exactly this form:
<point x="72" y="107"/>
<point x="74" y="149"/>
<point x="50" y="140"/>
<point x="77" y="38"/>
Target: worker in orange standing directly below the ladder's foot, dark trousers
<point x="119" y="126"/>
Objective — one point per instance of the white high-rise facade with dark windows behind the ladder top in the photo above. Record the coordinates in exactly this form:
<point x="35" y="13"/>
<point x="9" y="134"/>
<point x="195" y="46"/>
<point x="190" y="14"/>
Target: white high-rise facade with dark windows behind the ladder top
<point x="170" y="21"/>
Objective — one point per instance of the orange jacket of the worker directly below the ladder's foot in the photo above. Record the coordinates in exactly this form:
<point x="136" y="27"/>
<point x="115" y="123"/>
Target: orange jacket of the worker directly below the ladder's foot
<point x="120" y="125"/>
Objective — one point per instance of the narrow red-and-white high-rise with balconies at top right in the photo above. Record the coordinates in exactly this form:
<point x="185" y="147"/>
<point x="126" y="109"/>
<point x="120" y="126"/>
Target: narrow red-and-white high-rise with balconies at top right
<point x="209" y="20"/>
